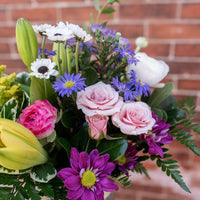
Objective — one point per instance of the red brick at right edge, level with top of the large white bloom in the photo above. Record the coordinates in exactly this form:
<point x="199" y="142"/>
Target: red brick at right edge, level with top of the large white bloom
<point x="187" y="50"/>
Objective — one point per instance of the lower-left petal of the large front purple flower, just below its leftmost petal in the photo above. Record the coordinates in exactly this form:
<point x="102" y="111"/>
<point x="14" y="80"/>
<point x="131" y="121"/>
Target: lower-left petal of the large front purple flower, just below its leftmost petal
<point x="73" y="182"/>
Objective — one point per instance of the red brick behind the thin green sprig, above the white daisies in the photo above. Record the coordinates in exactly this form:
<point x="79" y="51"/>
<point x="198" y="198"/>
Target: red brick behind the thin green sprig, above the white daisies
<point x="80" y="14"/>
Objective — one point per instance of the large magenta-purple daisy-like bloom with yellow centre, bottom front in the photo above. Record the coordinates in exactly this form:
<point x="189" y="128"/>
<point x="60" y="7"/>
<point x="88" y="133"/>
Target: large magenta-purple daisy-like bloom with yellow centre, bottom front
<point x="87" y="179"/>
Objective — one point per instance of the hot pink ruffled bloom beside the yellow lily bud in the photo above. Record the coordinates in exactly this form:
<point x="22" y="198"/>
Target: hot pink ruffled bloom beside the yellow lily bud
<point x="39" y="118"/>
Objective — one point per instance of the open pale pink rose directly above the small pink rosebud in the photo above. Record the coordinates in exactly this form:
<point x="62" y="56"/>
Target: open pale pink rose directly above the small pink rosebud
<point x="99" y="99"/>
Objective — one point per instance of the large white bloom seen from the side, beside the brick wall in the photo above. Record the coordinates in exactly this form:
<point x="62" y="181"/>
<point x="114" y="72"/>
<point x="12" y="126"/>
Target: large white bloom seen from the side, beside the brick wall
<point x="149" y="70"/>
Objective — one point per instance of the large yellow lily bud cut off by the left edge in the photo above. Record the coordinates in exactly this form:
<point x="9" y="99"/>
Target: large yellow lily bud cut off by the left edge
<point x="19" y="148"/>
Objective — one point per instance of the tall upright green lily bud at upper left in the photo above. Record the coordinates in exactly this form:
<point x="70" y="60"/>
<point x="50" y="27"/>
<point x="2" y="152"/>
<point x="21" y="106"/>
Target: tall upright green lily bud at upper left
<point x="27" y="44"/>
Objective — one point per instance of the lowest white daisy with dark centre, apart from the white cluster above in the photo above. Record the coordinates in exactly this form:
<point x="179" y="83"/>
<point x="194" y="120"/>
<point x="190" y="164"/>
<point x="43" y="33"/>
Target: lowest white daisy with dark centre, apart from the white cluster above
<point x="43" y="68"/>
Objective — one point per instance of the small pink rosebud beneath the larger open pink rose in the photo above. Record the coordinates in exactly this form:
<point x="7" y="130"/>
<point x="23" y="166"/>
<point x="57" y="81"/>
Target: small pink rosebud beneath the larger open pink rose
<point x="97" y="124"/>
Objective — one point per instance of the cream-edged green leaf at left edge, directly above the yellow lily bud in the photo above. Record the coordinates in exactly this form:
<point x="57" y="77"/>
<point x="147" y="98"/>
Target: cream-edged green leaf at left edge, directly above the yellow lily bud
<point x="9" y="109"/>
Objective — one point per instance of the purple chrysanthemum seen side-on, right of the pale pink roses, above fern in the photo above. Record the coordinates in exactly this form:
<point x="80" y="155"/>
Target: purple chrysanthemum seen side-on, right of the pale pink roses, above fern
<point x="158" y="135"/>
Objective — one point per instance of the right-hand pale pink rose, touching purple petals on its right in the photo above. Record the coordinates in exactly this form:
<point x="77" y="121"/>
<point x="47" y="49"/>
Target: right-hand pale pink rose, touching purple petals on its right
<point x="134" y="118"/>
